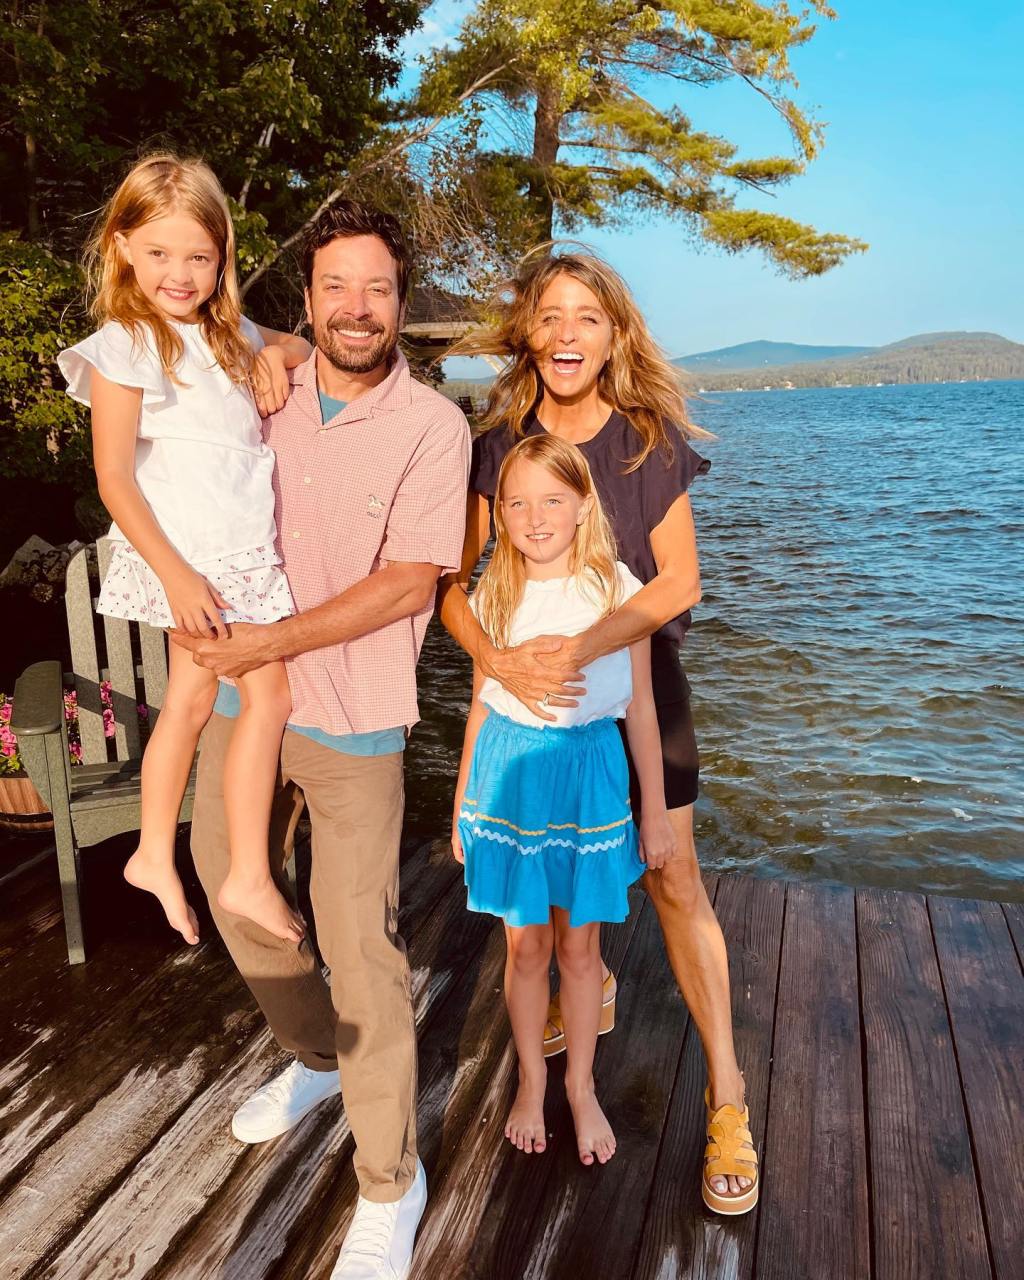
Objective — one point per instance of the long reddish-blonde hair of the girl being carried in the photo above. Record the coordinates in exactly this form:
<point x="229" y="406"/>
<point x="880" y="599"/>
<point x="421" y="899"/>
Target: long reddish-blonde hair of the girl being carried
<point x="158" y="186"/>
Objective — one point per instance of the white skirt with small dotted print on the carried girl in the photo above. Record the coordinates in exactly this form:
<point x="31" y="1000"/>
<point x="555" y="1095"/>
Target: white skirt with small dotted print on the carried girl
<point x="253" y="583"/>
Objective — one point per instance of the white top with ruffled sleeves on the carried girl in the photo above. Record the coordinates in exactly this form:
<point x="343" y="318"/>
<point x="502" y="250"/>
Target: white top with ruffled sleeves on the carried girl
<point x="202" y="463"/>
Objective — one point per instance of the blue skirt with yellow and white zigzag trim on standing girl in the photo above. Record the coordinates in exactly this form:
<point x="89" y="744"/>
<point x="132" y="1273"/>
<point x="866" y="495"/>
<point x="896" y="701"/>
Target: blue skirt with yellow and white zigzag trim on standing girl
<point x="546" y="822"/>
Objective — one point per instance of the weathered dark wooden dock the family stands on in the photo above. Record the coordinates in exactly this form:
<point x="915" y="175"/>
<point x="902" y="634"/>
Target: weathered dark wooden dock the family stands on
<point x="883" y="1036"/>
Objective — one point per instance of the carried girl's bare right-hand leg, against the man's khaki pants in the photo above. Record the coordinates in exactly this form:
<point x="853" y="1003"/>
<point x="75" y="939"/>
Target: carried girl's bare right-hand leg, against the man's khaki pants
<point x="250" y="775"/>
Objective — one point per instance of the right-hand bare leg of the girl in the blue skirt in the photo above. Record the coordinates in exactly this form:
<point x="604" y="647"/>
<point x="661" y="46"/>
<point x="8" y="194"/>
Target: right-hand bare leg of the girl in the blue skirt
<point x="580" y="968"/>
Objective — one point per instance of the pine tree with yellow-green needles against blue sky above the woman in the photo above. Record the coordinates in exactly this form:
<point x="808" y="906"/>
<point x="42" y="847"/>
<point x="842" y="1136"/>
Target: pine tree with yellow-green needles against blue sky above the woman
<point x="563" y="86"/>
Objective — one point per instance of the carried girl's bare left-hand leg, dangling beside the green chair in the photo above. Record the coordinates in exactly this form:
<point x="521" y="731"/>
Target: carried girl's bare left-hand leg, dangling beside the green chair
<point x="166" y="767"/>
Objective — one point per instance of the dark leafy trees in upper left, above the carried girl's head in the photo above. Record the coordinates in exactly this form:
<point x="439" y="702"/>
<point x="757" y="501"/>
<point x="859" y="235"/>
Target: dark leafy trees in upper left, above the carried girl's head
<point x="278" y="98"/>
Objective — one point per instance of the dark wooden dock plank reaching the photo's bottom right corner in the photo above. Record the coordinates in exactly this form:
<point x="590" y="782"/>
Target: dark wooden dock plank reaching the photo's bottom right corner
<point x="985" y="994"/>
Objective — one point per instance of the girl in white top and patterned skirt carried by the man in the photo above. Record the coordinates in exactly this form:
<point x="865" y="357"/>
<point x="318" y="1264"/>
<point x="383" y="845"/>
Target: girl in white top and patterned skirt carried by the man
<point x="185" y="473"/>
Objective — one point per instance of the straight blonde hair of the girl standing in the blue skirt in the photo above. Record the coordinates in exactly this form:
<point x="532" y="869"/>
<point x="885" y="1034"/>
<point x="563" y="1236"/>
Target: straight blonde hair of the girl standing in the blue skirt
<point x="592" y="557"/>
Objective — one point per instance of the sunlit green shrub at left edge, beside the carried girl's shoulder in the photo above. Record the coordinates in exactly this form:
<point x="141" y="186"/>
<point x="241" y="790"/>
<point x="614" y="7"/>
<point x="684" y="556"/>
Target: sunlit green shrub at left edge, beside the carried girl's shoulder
<point x="43" y="432"/>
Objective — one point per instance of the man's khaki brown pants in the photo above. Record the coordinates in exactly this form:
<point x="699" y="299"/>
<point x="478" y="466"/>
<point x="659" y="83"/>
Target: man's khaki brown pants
<point x="363" y="1025"/>
